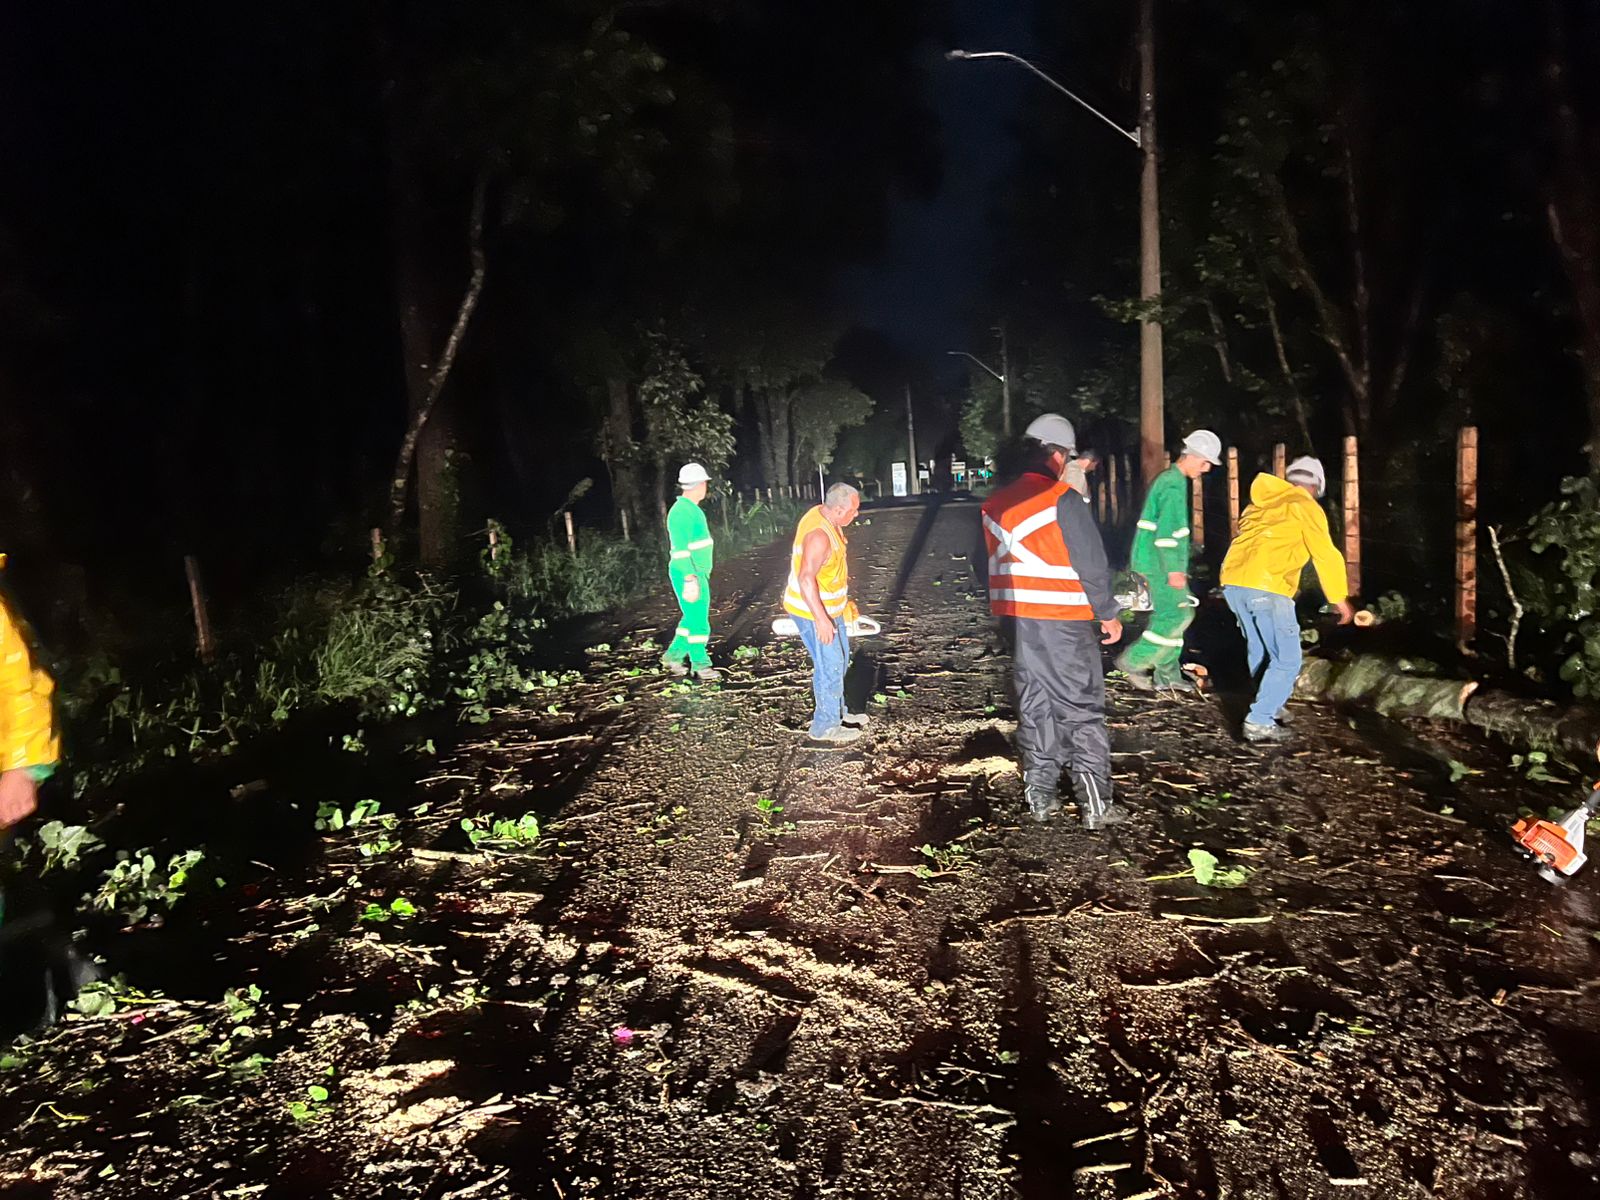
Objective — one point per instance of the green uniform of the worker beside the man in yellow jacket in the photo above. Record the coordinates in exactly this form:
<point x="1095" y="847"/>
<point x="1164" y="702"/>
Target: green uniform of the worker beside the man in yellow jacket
<point x="1161" y="548"/>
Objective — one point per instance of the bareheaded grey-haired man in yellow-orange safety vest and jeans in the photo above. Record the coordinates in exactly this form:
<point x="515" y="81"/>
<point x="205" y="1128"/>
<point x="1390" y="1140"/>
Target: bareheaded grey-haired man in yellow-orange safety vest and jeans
<point x="818" y="599"/>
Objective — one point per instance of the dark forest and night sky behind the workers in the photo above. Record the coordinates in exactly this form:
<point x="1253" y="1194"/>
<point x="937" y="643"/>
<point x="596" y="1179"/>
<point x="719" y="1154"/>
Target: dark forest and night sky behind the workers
<point x="236" y="241"/>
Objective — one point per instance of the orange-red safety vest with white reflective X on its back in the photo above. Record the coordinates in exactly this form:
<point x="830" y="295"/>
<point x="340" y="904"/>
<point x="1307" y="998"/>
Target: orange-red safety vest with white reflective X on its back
<point x="1030" y="569"/>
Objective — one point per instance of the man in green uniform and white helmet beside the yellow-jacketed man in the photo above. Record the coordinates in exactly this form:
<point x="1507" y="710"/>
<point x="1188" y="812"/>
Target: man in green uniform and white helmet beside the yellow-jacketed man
<point x="1161" y="554"/>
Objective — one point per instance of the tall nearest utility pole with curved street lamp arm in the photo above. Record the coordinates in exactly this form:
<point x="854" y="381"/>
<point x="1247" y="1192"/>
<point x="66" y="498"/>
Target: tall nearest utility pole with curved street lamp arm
<point x="1153" y="433"/>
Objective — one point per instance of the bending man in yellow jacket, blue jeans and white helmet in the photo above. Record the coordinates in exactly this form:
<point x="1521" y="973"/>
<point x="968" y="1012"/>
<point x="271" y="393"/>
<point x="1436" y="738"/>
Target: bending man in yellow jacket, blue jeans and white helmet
<point x="1279" y="534"/>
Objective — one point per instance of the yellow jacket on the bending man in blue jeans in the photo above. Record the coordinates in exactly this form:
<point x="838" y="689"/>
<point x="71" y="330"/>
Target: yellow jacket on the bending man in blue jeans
<point x="1279" y="534"/>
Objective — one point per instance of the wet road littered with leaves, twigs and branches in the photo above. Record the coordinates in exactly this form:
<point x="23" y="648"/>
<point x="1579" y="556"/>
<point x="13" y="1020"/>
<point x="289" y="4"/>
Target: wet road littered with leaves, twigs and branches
<point x="737" y="967"/>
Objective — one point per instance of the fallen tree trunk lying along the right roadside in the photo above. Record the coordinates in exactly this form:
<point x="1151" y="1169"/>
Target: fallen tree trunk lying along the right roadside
<point x="1388" y="689"/>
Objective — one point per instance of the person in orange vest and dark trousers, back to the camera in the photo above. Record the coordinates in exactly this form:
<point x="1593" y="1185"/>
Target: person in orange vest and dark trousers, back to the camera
<point x="1049" y="572"/>
